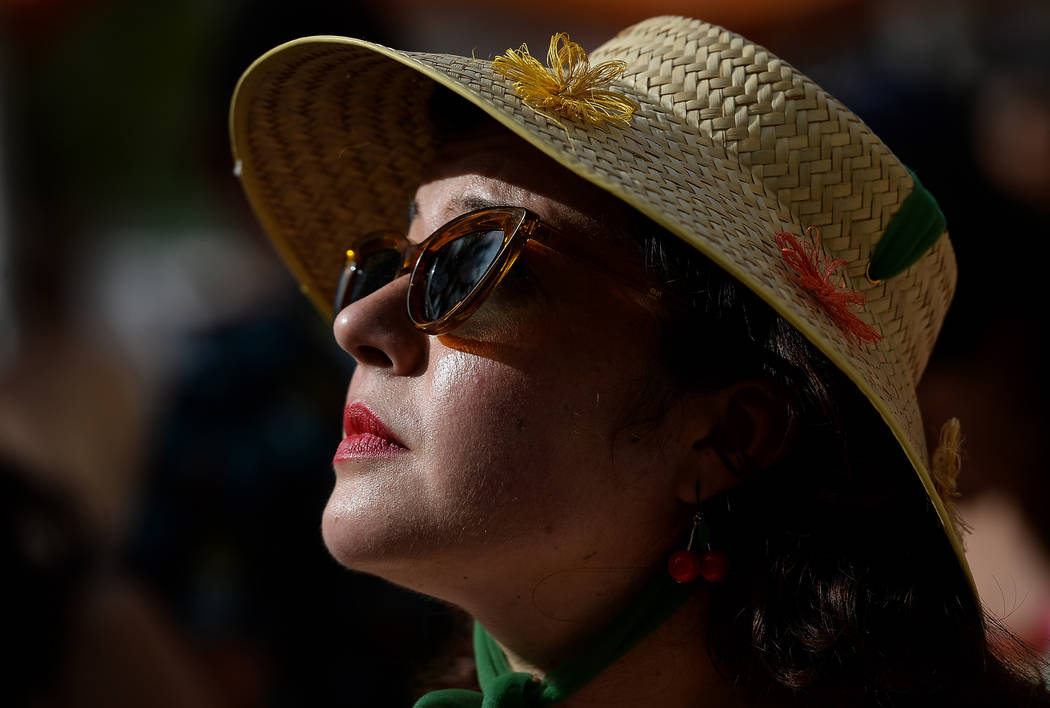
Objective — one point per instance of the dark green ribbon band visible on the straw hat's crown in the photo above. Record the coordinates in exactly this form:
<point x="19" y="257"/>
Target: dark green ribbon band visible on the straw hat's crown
<point x="913" y="232"/>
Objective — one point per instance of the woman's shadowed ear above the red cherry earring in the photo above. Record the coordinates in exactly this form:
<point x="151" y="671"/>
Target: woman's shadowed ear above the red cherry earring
<point x="746" y="429"/>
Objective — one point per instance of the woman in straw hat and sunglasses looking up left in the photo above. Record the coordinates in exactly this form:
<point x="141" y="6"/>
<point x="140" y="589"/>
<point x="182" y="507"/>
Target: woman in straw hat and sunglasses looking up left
<point x="615" y="397"/>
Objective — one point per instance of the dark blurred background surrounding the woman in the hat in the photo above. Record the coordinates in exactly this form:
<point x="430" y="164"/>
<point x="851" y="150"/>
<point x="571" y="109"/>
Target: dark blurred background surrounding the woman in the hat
<point x="170" y="404"/>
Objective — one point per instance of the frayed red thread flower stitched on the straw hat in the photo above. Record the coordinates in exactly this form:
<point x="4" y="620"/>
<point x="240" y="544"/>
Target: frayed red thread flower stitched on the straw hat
<point x="815" y="275"/>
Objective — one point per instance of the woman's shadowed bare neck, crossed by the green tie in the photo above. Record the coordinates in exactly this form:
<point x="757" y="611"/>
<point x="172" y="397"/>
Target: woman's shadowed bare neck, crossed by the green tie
<point x="542" y="619"/>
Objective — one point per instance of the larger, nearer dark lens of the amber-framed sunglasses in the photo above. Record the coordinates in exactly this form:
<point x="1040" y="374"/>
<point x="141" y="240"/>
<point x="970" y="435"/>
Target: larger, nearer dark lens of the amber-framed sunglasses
<point x="456" y="269"/>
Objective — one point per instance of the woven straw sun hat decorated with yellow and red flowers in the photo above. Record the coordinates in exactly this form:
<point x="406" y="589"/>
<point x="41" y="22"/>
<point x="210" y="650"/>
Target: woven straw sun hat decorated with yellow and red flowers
<point x="730" y="149"/>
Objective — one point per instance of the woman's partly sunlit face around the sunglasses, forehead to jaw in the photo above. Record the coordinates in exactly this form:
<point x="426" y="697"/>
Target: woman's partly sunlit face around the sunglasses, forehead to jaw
<point x="530" y="440"/>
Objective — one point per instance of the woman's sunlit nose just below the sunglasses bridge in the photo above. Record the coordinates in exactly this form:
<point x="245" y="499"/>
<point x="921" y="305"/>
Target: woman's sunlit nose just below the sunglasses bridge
<point x="377" y="332"/>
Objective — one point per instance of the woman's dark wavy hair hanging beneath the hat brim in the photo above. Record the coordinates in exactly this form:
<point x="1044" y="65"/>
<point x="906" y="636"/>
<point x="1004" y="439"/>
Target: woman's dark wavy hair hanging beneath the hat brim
<point x="845" y="589"/>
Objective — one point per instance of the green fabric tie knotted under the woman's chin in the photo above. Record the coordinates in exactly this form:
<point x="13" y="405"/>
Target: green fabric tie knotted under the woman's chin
<point x="503" y="689"/>
